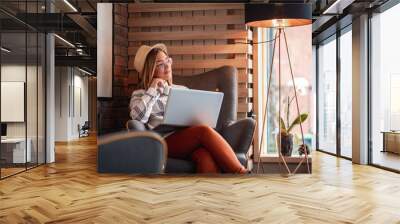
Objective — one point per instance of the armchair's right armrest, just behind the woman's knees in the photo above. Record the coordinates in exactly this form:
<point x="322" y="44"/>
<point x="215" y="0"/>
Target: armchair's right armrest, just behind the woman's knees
<point x="239" y="134"/>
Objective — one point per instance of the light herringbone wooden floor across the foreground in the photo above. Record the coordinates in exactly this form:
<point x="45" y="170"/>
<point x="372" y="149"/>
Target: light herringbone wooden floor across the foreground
<point x="71" y="191"/>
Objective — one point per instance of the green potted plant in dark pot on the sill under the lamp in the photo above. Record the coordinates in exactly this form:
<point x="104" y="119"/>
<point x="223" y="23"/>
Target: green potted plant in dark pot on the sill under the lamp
<point x="286" y="141"/>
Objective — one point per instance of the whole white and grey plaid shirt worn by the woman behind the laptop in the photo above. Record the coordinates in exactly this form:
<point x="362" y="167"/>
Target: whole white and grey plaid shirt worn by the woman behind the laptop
<point x="149" y="106"/>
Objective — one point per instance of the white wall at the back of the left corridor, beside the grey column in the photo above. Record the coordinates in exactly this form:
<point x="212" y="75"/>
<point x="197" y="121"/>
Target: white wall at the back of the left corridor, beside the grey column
<point x="70" y="83"/>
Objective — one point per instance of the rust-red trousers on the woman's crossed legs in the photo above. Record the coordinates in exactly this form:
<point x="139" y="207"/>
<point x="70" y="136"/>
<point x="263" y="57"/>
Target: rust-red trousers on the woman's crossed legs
<point x="204" y="146"/>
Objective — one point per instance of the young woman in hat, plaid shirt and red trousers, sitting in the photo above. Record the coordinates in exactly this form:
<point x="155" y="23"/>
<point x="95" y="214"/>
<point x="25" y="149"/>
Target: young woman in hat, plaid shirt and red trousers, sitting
<point x="202" y="144"/>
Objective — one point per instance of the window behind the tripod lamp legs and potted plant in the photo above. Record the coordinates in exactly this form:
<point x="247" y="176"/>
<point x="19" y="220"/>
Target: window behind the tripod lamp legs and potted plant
<point x="301" y="60"/>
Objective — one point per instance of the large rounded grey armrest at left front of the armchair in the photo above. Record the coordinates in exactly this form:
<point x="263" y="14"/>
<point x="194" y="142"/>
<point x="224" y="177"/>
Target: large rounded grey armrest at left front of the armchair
<point x="132" y="152"/>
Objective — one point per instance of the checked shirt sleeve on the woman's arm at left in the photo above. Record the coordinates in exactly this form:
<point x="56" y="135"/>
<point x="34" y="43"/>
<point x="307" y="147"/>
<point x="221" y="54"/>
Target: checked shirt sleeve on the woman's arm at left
<point x="142" y="103"/>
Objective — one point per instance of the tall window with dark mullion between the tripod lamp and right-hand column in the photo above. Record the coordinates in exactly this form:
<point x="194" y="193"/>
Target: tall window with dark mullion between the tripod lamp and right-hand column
<point x="334" y="106"/>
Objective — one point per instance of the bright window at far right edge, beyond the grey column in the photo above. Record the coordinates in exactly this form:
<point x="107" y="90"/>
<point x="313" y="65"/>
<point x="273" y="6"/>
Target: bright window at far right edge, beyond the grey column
<point x="385" y="86"/>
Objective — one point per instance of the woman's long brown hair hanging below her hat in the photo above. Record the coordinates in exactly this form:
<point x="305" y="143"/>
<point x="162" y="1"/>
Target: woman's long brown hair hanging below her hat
<point x="149" y="68"/>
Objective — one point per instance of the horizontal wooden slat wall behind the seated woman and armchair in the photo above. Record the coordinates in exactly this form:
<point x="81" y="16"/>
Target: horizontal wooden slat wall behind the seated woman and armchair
<point x="200" y="37"/>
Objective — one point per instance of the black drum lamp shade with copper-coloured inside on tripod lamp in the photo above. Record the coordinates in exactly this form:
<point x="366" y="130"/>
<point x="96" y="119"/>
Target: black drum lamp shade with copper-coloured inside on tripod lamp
<point x="278" y="14"/>
